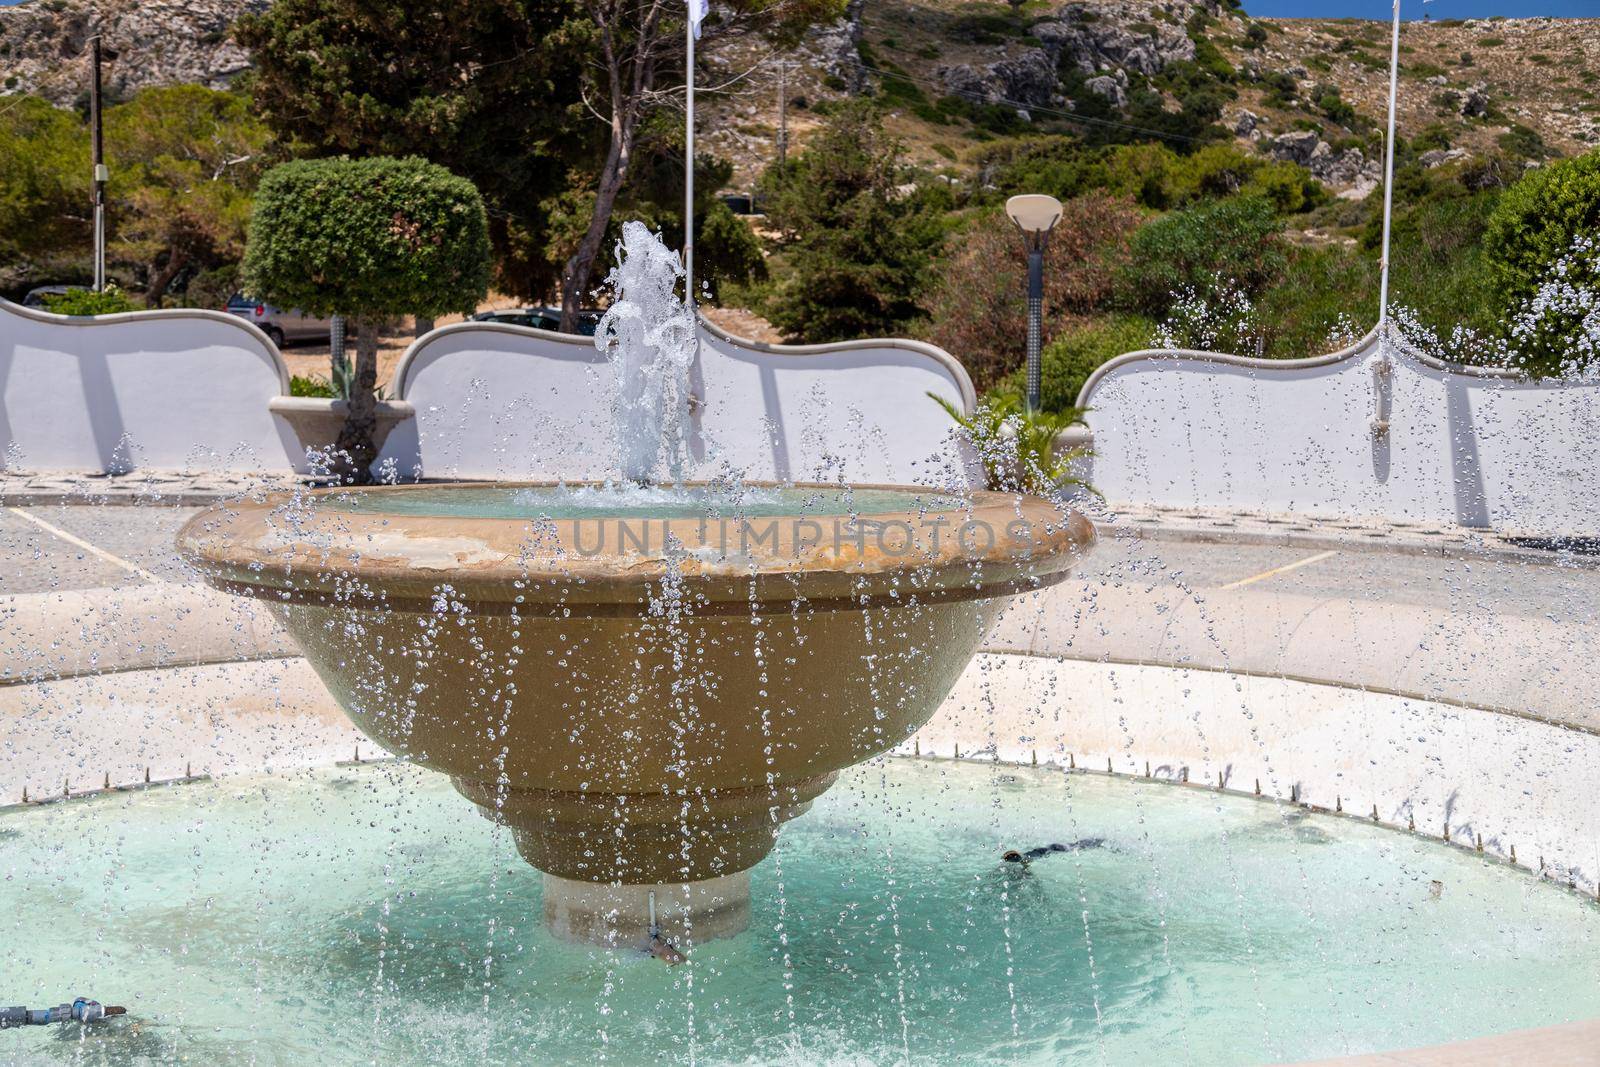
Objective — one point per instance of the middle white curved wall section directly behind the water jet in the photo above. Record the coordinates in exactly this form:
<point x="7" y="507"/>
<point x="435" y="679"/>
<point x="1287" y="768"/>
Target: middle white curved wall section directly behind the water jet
<point x="497" y="401"/>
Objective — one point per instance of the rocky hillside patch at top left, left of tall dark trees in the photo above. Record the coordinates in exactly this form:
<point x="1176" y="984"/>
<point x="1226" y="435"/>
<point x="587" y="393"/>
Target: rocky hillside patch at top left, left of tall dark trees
<point x="156" y="42"/>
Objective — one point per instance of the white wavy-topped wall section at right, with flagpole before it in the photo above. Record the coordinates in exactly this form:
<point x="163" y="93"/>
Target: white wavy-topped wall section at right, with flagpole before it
<point x="1454" y="446"/>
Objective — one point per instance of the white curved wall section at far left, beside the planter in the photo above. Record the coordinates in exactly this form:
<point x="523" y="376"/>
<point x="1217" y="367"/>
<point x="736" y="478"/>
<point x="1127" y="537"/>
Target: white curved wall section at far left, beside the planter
<point x="177" y="390"/>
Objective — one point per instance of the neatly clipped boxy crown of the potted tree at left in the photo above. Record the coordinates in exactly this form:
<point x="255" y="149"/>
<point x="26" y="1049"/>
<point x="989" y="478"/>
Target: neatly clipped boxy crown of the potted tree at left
<point x="369" y="239"/>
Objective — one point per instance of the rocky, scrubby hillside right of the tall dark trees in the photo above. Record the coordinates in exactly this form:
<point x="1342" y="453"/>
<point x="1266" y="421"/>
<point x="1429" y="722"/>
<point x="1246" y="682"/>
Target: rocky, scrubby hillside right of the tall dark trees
<point x="1306" y="90"/>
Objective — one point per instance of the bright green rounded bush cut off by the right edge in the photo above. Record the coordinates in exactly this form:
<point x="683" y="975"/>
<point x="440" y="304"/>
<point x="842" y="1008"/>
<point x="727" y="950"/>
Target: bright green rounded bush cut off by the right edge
<point x="1538" y="220"/>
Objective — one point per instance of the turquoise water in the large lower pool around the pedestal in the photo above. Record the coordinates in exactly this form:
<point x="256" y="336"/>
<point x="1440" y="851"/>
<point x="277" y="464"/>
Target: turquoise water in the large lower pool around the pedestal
<point x="370" y="916"/>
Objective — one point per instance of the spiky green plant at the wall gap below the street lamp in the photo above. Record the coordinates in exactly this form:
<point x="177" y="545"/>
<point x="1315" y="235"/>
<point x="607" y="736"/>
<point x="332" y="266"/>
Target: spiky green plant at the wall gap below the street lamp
<point x="1018" y="449"/>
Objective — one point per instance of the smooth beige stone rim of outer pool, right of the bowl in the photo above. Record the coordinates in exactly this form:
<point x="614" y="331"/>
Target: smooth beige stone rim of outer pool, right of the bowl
<point x="1526" y="666"/>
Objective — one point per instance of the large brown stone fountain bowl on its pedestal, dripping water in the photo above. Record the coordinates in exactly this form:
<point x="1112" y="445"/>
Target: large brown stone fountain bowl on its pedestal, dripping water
<point x="642" y="684"/>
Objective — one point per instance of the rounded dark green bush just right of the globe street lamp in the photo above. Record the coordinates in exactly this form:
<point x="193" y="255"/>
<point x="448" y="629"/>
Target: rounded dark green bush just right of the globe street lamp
<point x="1234" y="244"/>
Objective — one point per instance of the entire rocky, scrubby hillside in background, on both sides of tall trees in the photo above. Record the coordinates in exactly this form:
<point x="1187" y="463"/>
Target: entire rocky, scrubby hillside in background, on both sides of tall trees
<point x="958" y="73"/>
